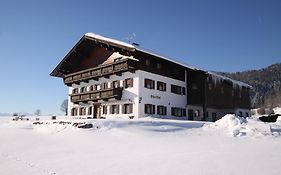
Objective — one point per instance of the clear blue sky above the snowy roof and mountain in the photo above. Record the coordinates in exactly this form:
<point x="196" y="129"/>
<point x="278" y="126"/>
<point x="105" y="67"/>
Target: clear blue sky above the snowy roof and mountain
<point x="226" y="35"/>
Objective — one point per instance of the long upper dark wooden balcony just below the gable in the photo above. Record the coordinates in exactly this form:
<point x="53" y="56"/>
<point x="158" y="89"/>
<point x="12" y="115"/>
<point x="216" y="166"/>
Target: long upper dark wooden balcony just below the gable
<point x="101" y="71"/>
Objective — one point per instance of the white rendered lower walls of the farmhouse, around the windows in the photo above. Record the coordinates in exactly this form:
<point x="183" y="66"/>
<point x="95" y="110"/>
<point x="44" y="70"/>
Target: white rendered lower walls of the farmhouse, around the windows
<point x="137" y="95"/>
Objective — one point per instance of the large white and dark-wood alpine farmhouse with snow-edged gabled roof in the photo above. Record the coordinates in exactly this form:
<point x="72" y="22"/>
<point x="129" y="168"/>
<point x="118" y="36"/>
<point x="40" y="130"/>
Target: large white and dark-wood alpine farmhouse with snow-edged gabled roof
<point x="108" y="78"/>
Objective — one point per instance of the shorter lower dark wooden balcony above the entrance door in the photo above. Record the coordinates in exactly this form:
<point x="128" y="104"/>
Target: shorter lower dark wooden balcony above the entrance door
<point x="103" y="94"/>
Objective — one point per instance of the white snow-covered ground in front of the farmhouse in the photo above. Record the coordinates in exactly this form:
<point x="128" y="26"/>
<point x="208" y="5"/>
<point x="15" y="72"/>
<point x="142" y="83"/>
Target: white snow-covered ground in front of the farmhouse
<point x="231" y="145"/>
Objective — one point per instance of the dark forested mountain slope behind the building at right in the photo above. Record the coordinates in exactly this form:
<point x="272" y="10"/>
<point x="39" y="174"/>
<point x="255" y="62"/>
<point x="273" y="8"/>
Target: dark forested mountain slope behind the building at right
<point x="266" y="83"/>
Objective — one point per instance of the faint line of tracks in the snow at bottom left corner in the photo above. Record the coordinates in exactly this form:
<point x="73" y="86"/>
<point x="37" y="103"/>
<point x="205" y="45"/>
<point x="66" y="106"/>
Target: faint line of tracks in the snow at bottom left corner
<point x="28" y="164"/>
